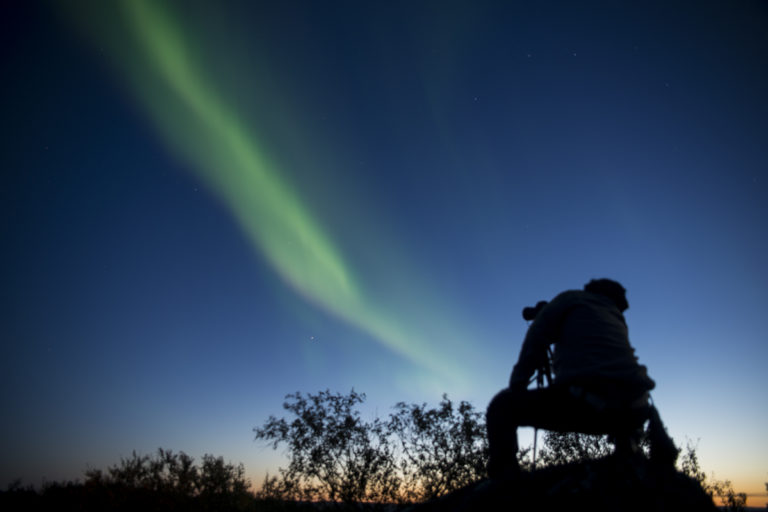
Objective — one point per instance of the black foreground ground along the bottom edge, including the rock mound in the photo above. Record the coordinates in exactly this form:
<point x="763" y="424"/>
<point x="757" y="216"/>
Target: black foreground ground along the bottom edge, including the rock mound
<point x="602" y="485"/>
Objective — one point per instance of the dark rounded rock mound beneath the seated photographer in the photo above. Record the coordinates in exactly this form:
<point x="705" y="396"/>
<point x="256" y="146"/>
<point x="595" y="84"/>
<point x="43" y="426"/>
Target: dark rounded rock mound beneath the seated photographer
<point x="608" y="484"/>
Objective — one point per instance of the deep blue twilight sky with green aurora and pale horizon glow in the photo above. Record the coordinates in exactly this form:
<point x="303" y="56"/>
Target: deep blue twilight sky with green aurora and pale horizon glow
<point x="205" y="206"/>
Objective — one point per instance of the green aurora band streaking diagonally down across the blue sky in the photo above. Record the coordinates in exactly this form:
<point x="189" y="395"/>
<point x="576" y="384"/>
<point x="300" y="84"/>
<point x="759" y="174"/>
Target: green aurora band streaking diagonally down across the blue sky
<point x="194" y="118"/>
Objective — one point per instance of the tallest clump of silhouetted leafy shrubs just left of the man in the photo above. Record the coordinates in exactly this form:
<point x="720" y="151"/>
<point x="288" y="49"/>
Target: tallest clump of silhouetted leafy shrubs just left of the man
<point x="417" y="454"/>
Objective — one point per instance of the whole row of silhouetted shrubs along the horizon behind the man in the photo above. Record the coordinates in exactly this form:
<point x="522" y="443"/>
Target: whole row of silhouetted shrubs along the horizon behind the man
<point x="335" y="456"/>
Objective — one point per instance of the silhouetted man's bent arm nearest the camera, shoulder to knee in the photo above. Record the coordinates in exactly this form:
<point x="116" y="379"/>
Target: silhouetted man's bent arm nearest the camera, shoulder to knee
<point x="544" y="331"/>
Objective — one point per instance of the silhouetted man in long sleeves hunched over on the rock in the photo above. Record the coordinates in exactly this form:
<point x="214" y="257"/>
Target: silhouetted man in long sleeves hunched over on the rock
<point x="598" y="385"/>
